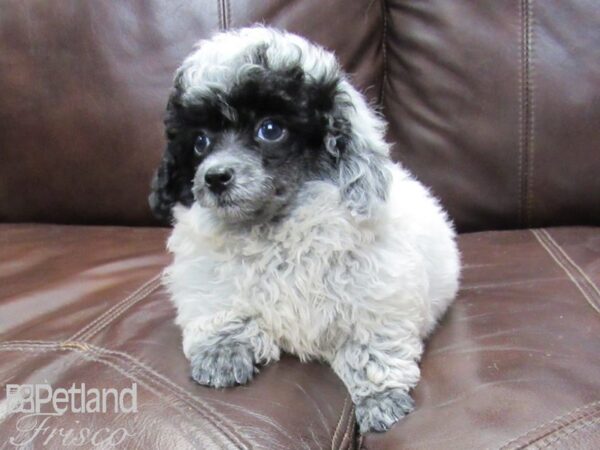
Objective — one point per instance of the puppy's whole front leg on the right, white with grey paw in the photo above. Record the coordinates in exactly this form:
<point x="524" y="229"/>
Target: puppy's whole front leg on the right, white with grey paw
<point x="379" y="369"/>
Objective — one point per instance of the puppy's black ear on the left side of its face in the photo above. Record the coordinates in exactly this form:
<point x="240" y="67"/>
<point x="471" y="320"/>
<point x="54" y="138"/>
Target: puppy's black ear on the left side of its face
<point x="172" y="181"/>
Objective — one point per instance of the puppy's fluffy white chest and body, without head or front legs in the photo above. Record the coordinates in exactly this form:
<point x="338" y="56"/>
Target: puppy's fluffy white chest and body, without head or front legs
<point x="309" y="280"/>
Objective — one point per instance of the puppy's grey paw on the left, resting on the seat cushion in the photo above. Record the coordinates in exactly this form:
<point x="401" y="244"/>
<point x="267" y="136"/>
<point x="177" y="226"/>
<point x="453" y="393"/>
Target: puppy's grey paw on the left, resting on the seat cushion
<point x="223" y="365"/>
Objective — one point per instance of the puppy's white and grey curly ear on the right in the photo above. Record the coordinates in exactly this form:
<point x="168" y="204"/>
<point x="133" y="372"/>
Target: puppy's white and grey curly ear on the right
<point x="356" y="138"/>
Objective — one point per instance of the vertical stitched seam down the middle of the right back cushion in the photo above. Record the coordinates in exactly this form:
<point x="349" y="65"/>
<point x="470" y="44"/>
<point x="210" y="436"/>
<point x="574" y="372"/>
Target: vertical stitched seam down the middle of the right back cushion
<point x="531" y="102"/>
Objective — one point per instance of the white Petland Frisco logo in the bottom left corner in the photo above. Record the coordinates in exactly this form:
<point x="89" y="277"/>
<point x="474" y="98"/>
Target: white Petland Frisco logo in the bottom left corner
<point x="40" y="403"/>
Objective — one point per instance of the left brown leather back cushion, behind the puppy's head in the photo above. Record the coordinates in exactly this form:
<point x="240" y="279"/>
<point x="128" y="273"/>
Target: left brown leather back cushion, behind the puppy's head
<point x="84" y="85"/>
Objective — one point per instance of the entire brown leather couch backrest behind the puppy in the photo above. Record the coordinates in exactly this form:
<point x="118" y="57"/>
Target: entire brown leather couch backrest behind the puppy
<point x="494" y="104"/>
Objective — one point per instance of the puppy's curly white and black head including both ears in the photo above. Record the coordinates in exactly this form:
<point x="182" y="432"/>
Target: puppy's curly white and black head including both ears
<point x="255" y="114"/>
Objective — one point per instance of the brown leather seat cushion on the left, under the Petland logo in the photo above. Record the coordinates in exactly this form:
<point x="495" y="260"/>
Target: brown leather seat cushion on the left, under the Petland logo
<point x="85" y="305"/>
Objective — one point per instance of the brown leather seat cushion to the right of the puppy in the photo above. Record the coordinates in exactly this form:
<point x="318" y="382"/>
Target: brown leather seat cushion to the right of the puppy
<point x="515" y="362"/>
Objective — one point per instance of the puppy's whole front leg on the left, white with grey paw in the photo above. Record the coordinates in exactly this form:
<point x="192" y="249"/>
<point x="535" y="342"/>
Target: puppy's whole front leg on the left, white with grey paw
<point x="224" y="350"/>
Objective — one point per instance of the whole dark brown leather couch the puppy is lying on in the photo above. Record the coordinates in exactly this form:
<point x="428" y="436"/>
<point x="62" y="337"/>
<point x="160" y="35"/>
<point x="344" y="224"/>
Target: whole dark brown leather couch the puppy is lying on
<point x="495" y="104"/>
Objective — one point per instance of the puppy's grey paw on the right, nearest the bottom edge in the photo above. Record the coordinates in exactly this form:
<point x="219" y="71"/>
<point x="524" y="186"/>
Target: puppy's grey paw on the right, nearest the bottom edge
<point x="380" y="411"/>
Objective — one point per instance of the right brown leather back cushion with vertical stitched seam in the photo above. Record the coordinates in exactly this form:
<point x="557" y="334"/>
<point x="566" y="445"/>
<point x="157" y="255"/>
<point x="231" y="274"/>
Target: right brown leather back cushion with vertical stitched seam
<point x="495" y="105"/>
